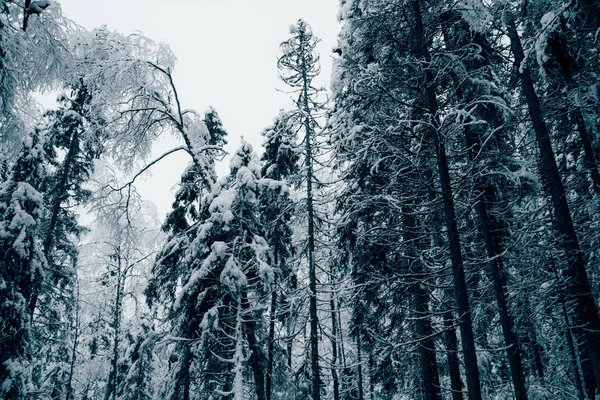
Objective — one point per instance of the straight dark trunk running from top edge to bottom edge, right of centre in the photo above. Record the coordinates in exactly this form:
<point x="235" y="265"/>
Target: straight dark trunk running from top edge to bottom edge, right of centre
<point x="460" y="285"/>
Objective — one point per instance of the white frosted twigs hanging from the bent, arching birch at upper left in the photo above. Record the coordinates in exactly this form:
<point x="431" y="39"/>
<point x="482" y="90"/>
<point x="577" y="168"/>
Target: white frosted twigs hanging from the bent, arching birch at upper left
<point x="130" y="86"/>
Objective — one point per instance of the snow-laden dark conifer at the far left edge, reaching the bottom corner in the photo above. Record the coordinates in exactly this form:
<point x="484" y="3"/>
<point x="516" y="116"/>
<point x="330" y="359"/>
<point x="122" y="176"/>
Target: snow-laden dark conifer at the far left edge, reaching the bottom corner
<point x="22" y="264"/>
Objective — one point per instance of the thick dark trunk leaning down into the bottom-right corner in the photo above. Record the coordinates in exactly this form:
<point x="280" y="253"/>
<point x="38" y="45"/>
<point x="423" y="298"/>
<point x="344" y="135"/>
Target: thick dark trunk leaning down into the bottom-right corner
<point x="577" y="283"/>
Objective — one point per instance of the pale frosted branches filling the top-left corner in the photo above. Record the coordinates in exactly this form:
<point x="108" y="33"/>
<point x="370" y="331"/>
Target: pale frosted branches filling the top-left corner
<point x="34" y="54"/>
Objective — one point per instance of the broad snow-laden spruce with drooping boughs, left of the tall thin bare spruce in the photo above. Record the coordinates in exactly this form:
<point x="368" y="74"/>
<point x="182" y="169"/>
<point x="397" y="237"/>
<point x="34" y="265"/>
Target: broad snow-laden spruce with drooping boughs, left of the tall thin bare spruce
<point x="224" y="286"/>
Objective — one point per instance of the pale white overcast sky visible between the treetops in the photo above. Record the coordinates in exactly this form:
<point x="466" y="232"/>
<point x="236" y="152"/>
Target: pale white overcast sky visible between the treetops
<point x="226" y="57"/>
